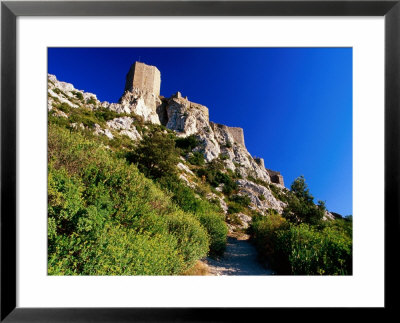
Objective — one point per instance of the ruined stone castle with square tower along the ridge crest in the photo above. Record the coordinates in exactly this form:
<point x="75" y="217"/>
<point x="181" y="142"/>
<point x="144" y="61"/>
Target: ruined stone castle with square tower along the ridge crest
<point x="142" y="92"/>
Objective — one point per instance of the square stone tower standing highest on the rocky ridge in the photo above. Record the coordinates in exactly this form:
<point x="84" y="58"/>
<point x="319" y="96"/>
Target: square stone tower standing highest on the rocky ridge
<point x="143" y="77"/>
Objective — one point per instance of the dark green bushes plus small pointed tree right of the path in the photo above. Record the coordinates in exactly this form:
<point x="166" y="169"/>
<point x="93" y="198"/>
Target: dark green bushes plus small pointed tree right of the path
<point x="299" y="242"/>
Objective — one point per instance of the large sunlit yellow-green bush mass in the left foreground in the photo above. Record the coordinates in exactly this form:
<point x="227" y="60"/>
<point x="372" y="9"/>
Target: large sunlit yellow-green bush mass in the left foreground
<point x="106" y="218"/>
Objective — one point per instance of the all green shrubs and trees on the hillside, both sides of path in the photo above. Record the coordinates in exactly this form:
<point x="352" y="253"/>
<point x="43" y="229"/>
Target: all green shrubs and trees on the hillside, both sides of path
<point x="118" y="207"/>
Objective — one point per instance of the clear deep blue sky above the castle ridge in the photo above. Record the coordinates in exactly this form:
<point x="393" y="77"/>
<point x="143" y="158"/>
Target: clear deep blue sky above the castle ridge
<point x="294" y="104"/>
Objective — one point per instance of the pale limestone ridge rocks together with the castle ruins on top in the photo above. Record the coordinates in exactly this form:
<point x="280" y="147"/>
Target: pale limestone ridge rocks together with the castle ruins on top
<point x="141" y="99"/>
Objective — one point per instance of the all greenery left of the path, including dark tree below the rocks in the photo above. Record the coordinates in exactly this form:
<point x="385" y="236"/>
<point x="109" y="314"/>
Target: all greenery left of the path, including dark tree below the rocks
<point x="123" y="211"/>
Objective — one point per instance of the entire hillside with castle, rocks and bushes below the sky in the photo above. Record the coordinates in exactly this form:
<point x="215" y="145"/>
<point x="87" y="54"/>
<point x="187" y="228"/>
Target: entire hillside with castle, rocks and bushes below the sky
<point x="150" y="186"/>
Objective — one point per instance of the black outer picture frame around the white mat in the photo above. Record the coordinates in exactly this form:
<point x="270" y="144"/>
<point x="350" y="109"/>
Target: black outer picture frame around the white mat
<point x="10" y="10"/>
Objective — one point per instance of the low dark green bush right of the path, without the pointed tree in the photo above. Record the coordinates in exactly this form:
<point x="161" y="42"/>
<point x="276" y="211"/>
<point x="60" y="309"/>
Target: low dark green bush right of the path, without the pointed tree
<point x="304" y="249"/>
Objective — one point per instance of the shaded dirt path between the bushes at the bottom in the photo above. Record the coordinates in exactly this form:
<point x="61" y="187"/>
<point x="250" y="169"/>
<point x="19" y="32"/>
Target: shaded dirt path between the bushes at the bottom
<point x="240" y="258"/>
